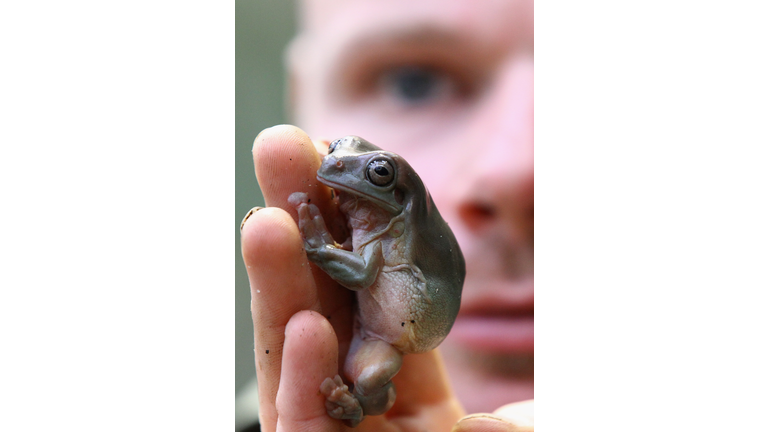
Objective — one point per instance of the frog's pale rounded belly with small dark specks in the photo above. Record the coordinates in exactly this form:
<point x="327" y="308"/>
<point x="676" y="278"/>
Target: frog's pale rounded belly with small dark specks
<point x="394" y="309"/>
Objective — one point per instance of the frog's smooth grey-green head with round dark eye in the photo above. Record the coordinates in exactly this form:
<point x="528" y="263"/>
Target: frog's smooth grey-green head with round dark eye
<point x="358" y="167"/>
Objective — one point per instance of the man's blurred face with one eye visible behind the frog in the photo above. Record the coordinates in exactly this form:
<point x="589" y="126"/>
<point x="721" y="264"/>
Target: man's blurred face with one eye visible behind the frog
<point x="448" y="84"/>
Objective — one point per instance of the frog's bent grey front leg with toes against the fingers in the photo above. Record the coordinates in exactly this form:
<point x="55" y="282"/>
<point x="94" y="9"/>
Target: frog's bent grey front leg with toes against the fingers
<point x="353" y="270"/>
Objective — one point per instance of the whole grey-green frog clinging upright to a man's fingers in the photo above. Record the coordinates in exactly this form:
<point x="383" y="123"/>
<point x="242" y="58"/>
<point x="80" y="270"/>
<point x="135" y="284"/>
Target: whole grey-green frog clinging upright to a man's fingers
<point x="402" y="260"/>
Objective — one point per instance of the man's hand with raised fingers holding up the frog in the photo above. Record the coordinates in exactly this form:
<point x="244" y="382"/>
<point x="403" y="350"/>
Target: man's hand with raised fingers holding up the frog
<point x="303" y="319"/>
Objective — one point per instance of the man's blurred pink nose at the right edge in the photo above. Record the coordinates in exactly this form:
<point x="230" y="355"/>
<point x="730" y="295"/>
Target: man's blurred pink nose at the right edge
<point x="497" y="199"/>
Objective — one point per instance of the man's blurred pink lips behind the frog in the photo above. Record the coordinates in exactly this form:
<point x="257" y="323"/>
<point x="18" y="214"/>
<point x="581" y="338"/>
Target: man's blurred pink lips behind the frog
<point x="499" y="320"/>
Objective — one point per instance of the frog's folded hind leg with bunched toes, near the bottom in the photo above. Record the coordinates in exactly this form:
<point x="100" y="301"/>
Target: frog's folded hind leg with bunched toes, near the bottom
<point x="371" y="364"/>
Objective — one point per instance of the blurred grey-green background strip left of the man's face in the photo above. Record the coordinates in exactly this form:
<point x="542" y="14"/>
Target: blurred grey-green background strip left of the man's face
<point x="262" y="30"/>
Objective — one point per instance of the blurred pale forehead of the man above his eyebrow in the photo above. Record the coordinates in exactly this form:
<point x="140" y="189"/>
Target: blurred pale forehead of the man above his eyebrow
<point x="484" y="21"/>
